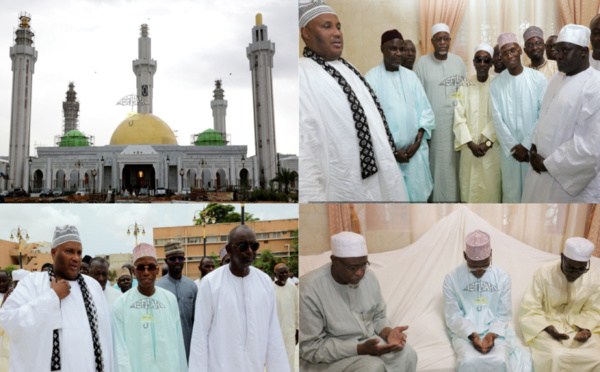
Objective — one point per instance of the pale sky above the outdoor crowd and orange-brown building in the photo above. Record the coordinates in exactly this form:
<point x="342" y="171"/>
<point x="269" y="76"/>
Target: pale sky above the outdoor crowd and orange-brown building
<point x="103" y="228"/>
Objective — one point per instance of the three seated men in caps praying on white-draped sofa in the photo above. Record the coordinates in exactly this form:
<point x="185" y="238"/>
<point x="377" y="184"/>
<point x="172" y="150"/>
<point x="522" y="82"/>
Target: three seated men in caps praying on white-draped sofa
<point x="344" y="326"/>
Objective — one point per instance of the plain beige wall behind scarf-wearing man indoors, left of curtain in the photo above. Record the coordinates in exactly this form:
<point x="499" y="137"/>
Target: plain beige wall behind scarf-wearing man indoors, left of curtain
<point x="363" y="22"/>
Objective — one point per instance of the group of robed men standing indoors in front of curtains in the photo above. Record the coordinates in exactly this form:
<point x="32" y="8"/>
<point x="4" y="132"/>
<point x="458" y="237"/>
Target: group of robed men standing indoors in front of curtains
<point x="423" y="131"/>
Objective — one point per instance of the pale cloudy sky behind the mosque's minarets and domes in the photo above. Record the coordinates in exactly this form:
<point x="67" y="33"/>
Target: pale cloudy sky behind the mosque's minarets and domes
<point x="93" y="44"/>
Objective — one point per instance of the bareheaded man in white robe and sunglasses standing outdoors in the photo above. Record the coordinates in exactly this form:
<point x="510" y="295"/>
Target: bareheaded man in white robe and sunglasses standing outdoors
<point x="236" y="311"/>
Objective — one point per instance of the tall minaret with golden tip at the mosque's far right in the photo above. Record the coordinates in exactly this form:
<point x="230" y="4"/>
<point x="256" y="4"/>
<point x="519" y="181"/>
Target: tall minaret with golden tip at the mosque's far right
<point x="260" y="54"/>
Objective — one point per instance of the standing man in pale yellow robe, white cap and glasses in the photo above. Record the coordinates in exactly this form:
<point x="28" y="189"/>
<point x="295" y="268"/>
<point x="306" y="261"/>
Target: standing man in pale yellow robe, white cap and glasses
<point x="480" y="177"/>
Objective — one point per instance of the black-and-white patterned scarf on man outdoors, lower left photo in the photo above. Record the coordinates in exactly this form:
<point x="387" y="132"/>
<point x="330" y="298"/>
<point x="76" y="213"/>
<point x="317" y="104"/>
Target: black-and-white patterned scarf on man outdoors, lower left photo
<point x="92" y="314"/>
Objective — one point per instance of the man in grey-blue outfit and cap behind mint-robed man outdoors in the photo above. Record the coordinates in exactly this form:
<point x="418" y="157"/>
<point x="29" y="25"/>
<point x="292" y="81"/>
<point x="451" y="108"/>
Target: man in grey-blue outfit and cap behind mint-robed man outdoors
<point x="184" y="289"/>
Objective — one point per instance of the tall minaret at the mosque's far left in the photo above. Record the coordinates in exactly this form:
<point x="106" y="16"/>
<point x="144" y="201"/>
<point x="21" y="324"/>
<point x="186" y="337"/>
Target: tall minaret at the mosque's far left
<point x="23" y="56"/>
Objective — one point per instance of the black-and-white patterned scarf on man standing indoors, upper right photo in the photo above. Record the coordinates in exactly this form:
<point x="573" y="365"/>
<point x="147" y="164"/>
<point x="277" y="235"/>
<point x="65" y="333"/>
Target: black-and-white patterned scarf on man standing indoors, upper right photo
<point x="367" y="157"/>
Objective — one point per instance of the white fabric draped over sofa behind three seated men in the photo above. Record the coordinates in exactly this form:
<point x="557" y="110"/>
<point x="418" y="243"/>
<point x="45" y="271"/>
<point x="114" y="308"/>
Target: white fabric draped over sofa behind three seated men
<point x="411" y="281"/>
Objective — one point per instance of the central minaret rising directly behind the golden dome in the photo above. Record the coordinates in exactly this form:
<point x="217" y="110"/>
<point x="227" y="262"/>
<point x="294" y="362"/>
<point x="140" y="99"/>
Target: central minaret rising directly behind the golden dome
<point x="144" y="68"/>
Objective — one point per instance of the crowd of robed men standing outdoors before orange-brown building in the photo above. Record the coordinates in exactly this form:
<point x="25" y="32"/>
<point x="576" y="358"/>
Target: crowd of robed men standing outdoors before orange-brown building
<point x="235" y="318"/>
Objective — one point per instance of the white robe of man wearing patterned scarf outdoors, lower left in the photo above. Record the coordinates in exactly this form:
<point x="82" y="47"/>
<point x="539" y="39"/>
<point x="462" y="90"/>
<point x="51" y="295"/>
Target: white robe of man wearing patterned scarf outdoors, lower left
<point x="32" y="313"/>
